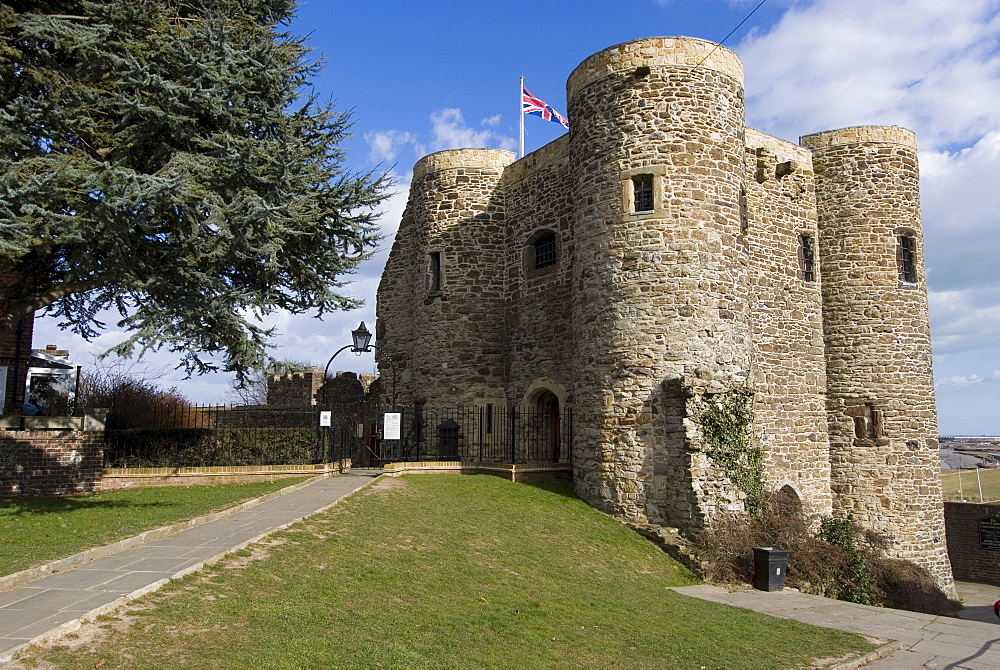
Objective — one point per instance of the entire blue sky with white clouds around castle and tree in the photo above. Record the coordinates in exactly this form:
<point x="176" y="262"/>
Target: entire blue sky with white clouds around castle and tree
<point x="428" y="75"/>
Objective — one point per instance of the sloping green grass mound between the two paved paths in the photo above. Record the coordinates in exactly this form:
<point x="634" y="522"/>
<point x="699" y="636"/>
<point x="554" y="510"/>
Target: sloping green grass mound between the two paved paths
<point x="444" y="571"/>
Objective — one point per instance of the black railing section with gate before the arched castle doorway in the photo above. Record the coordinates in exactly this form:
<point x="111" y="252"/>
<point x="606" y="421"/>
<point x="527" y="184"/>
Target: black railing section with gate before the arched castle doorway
<point x="480" y="433"/>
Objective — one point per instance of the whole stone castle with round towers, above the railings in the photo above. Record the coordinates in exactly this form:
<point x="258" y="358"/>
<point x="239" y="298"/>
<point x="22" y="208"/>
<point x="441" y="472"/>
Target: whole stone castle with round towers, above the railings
<point x="727" y="314"/>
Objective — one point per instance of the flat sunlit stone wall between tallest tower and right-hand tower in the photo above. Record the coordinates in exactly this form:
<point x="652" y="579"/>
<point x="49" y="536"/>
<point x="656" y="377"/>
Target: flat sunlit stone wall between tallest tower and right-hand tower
<point x="790" y="367"/>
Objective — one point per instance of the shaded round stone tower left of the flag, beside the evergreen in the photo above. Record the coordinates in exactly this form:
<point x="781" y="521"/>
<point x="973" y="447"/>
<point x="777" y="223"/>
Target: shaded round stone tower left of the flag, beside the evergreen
<point x="454" y="232"/>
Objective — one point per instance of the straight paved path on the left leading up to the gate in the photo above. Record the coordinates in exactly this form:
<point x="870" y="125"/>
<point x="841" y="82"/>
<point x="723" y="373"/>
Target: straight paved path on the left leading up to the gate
<point x="56" y="604"/>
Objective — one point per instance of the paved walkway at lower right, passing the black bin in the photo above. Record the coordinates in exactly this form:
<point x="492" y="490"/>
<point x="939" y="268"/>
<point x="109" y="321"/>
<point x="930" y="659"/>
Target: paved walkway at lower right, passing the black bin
<point x="910" y="640"/>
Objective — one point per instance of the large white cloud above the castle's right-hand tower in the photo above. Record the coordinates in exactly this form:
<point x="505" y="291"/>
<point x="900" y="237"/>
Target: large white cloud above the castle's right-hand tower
<point x="927" y="65"/>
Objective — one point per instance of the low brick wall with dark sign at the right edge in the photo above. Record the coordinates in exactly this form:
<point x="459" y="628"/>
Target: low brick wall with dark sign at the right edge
<point x="972" y="529"/>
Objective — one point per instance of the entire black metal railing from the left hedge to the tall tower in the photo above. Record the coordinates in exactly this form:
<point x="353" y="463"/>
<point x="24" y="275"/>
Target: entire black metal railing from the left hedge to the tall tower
<point x="182" y="435"/>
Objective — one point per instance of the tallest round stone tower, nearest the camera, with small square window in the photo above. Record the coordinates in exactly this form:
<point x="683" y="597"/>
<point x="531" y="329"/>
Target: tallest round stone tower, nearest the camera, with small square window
<point x="660" y="275"/>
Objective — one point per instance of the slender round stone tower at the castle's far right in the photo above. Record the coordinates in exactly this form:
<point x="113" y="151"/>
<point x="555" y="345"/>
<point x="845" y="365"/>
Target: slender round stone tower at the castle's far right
<point x="880" y="389"/>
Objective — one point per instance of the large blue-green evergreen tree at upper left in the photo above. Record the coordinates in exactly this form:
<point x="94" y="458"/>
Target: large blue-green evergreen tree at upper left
<point x="159" y="157"/>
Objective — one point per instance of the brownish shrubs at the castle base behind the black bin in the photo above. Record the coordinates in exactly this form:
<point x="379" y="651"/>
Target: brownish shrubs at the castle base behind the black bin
<point x="840" y="560"/>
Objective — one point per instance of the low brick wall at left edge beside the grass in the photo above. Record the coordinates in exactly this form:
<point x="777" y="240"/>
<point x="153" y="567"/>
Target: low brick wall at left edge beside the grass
<point x="50" y="462"/>
